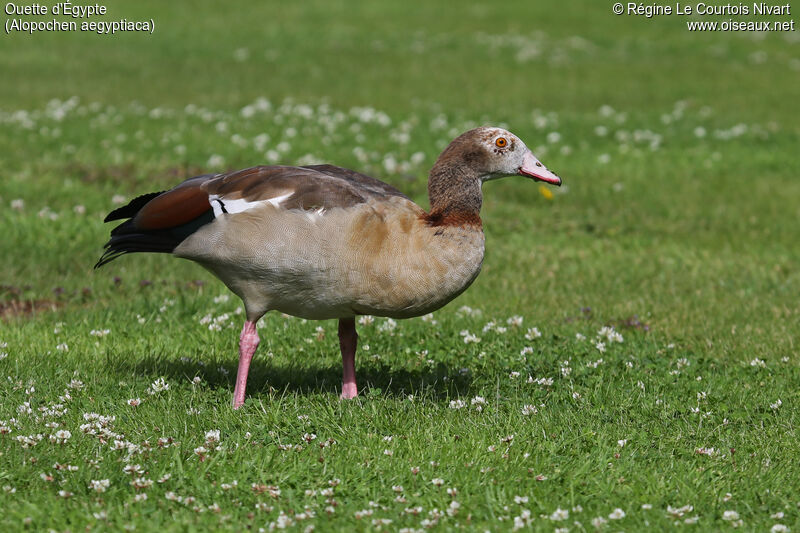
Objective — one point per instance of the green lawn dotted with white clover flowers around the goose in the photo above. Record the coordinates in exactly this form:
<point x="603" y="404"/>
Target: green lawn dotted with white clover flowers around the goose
<point x="677" y="225"/>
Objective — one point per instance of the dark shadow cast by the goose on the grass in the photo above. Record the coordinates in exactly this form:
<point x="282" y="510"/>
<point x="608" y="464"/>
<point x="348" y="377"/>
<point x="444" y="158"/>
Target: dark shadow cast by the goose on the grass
<point x="439" y="382"/>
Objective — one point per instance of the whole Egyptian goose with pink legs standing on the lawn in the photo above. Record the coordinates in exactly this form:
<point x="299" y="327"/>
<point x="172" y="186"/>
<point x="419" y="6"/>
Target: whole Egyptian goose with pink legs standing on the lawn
<point x="323" y="242"/>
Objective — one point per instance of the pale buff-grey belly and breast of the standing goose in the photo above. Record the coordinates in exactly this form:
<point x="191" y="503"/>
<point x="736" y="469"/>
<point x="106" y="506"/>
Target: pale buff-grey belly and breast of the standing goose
<point x="333" y="266"/>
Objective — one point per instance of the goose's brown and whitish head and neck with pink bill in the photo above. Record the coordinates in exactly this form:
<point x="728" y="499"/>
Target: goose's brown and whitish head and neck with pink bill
<point x="479" y="155"/>
